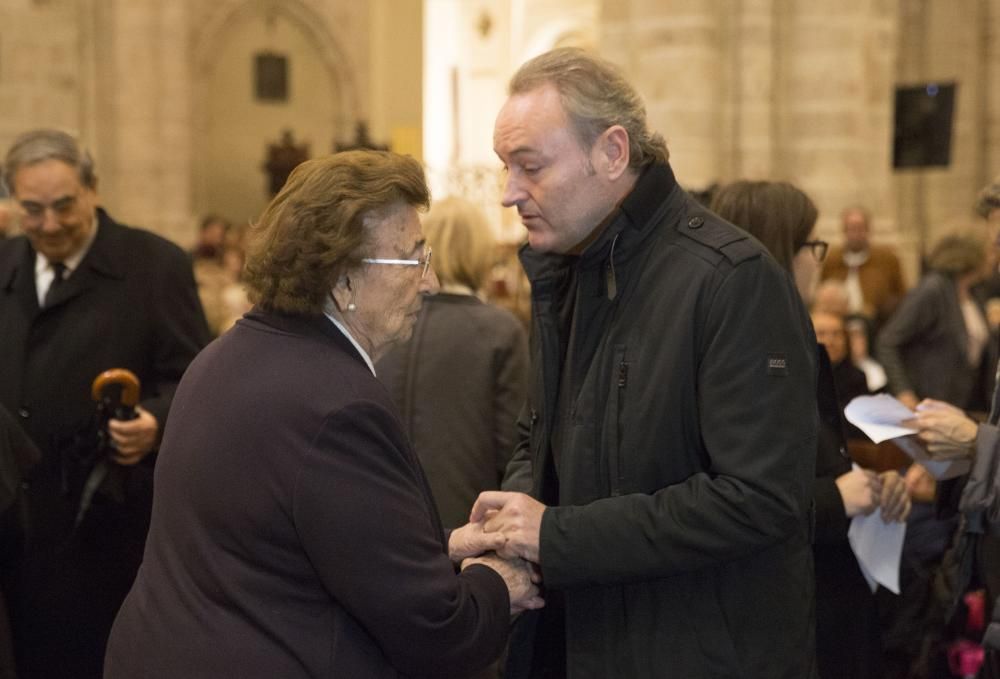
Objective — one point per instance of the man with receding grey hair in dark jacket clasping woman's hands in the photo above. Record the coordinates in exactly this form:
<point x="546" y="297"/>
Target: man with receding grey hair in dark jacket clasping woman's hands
<point x="667" y="449"/>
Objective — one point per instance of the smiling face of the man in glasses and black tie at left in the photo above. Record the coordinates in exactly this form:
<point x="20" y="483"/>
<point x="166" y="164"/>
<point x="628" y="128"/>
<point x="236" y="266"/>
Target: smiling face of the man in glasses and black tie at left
<point x="57" y="211"/>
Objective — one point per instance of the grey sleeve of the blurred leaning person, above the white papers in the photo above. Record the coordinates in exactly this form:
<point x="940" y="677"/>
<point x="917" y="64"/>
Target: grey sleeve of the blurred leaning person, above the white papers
<point x="913" y="318"/>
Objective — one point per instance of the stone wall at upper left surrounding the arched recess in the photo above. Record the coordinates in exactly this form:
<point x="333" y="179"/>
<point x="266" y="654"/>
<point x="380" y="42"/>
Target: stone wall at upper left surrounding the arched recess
<point x="132" y="78"/>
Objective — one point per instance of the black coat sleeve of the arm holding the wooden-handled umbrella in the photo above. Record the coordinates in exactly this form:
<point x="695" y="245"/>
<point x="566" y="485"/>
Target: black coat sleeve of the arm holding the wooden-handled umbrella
<point x="179" y="330"/>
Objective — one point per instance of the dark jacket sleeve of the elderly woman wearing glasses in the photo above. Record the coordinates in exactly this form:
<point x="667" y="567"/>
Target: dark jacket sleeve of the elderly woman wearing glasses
<point x="366" y="525"/>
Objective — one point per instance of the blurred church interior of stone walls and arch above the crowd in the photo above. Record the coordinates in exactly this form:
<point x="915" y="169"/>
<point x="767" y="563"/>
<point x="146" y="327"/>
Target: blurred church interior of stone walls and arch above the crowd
<point x="184" y="103"/>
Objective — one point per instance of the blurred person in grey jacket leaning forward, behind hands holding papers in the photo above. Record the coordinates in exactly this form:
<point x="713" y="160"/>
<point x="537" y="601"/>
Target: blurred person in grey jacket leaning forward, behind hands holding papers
<point x="937" y="345"/>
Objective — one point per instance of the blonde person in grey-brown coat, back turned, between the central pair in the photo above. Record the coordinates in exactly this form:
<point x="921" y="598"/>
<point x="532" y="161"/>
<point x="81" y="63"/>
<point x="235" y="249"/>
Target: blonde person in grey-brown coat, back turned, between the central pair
<point x="462" y="378"/>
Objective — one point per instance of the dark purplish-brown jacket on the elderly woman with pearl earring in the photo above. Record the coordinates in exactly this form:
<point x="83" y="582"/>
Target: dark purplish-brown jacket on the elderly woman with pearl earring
<point x="293" y="532"/>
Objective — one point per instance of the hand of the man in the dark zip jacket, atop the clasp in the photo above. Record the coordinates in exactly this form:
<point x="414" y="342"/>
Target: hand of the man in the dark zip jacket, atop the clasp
<point x="517" y="516"/>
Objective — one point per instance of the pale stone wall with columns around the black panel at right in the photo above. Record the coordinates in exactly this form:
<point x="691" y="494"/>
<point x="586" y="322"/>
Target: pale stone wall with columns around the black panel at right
<point x="802" y="90"/>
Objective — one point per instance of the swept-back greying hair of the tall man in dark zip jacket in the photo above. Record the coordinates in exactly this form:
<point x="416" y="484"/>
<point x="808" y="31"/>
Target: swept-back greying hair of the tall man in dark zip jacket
<point x="595" y="95"/>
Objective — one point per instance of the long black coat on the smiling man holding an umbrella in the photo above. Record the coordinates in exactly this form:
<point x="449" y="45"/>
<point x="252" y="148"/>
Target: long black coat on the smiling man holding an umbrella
<point x="131" y="303"/>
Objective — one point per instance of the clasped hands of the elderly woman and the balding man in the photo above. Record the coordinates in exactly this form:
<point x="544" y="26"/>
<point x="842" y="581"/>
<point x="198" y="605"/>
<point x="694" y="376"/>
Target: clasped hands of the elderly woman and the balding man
<point x="502" y="533"/>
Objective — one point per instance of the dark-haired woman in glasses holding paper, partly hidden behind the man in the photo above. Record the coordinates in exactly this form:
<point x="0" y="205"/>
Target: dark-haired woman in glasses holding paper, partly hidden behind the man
<point x="847" y="638"/>
